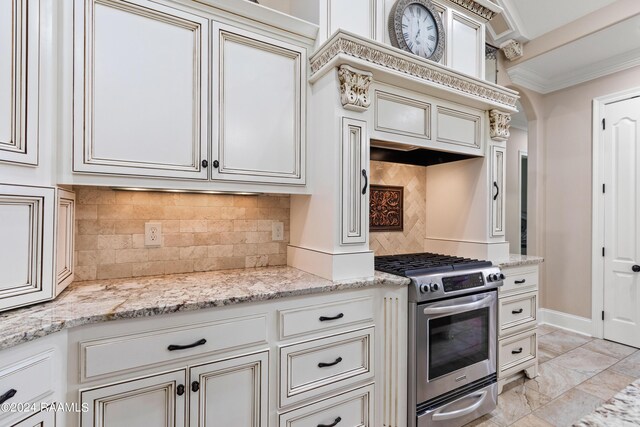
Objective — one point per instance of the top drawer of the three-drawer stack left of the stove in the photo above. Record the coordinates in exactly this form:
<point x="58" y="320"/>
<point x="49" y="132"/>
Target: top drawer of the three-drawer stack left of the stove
<point x="322" y="317"/>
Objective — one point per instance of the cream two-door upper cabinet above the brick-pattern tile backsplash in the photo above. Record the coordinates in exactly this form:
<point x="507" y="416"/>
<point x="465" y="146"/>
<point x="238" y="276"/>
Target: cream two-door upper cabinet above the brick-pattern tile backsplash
<point x="188" y="96"/>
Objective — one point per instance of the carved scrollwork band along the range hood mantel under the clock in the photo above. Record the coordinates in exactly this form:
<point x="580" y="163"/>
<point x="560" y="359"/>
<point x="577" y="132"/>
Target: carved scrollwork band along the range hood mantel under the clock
<point x="381" y="55"/>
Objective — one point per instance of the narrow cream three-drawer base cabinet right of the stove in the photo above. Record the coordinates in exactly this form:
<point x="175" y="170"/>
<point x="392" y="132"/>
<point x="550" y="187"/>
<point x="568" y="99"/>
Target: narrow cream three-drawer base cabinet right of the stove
<point x="517" y="319"/>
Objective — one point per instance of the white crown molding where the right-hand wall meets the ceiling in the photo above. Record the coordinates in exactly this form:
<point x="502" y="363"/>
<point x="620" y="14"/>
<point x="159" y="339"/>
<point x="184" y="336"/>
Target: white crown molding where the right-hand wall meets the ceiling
<point x="526" y="78"/>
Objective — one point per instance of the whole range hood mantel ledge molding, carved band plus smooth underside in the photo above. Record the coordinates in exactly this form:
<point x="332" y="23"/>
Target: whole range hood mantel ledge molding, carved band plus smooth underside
<point x="394" y="66"/>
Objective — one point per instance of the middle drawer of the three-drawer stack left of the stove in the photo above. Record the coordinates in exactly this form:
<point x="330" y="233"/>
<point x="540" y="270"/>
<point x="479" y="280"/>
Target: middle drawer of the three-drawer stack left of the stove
<point x="318" y="366"/>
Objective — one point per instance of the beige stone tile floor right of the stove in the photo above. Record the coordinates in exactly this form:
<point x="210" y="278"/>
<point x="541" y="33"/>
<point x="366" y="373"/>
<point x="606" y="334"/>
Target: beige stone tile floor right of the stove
<point x="576" y="375"/>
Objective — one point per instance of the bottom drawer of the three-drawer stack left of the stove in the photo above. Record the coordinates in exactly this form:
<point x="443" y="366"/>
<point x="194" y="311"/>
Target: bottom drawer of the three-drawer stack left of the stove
<point x="352" y="409"/>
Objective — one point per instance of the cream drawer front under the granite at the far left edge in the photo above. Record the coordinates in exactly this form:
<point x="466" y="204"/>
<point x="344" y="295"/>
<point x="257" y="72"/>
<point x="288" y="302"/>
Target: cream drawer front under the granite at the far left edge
<point x="31" y="381"/>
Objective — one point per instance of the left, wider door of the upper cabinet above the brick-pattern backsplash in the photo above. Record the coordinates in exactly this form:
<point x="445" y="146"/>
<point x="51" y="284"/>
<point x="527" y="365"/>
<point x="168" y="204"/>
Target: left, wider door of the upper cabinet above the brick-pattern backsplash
<point x="140" y="80"/>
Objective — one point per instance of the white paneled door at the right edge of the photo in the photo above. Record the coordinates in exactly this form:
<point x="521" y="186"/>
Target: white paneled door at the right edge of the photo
<point x="622" y="222"/>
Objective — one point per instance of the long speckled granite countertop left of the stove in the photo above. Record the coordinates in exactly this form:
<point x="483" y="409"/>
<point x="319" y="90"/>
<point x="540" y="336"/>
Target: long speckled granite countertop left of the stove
<point x="102" y="300"/>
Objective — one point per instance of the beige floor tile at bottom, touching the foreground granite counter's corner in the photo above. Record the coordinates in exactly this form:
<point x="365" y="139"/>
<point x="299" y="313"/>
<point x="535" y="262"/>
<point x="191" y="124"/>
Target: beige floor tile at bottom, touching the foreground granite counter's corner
<point x="568" y="408"/>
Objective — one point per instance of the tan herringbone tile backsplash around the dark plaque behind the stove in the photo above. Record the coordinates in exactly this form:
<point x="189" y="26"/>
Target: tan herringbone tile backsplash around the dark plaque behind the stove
<point x="414" y="180"/>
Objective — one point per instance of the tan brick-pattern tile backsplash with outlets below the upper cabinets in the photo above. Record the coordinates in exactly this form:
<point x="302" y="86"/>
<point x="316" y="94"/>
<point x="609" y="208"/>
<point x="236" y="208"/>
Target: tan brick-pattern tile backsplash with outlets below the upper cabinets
<point x="200" y="232"/>
